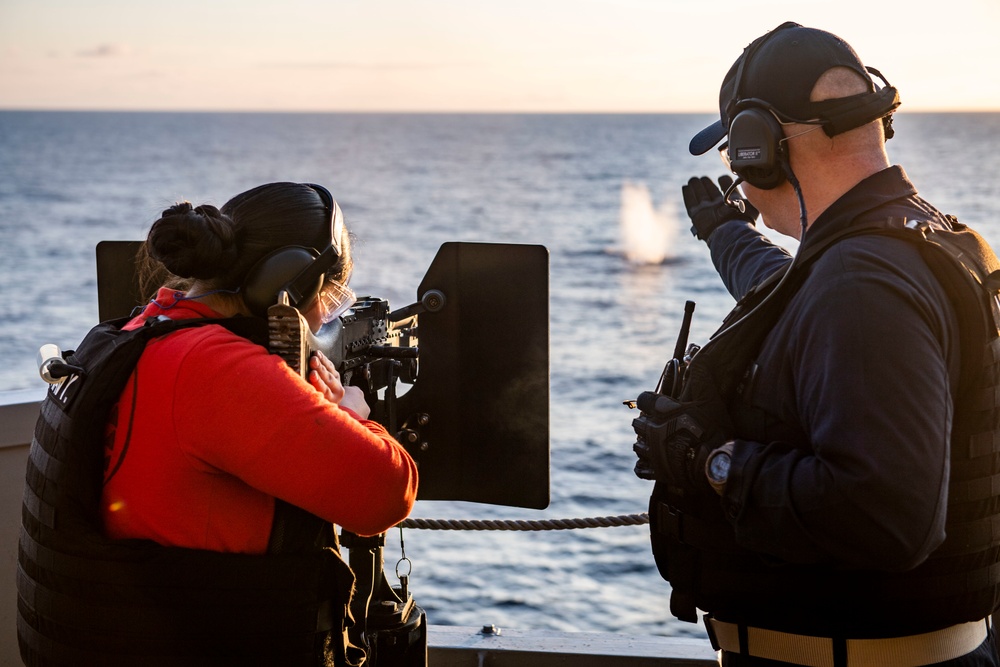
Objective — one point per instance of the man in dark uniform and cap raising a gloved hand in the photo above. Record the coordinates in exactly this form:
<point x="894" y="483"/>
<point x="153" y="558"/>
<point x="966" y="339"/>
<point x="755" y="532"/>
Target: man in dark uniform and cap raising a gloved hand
<point x="826" y="484"/>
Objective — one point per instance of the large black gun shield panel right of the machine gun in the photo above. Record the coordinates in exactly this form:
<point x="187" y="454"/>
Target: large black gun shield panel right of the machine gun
<point x="484" y="377"/>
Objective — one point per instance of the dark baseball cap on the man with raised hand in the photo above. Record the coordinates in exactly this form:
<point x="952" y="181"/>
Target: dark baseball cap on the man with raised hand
<point x="780" y="68"/>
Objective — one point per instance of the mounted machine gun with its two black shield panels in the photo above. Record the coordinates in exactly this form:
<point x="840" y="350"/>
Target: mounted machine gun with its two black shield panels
<point x="476" y="417"/>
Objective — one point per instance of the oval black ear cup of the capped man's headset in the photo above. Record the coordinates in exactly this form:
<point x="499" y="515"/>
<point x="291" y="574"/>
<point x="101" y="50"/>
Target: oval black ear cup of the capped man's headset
<point x="756" y="152"/>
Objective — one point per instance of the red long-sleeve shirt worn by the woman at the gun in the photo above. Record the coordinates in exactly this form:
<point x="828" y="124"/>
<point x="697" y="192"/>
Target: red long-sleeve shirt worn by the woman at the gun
<point x="220" y="428"/>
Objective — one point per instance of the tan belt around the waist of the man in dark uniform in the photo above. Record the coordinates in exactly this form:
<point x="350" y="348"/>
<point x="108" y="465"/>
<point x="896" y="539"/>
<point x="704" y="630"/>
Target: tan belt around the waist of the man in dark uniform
<point x="911" y="651"/>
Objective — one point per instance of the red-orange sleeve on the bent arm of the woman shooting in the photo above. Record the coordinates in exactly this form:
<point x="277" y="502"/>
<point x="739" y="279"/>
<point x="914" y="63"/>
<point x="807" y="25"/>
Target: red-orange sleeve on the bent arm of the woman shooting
<point x="242" y="411"/>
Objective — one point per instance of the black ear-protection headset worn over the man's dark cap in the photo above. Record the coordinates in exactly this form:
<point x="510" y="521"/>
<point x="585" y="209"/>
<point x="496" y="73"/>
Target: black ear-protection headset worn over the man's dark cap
<point x="757" y="151"/>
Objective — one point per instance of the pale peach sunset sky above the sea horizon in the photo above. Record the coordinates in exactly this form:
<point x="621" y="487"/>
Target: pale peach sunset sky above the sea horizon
<point x="462" y="55"/>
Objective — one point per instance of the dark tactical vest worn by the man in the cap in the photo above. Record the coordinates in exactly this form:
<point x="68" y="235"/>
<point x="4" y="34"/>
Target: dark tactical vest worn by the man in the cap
<point x="694" y="544"/>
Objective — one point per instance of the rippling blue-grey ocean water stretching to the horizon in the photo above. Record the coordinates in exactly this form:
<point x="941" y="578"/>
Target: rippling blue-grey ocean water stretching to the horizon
<point x="601" y="192"/>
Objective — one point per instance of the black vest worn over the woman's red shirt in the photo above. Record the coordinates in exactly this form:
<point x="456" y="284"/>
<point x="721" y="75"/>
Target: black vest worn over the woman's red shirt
<point x="87" y="599"/>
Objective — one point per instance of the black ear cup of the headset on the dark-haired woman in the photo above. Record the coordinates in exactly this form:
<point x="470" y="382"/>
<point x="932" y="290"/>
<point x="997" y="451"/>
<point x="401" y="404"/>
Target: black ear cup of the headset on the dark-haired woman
<point x="276" y="272"/>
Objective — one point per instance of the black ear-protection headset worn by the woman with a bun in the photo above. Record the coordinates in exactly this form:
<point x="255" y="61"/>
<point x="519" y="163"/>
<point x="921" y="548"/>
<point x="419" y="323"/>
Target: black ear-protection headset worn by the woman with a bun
<point x="297" y="270"/>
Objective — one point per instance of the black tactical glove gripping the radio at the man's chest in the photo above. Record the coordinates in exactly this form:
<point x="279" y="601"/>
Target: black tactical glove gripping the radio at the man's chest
<point x="675" y="439"/>
